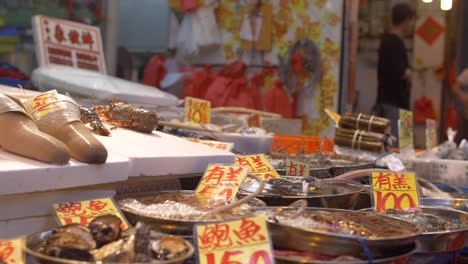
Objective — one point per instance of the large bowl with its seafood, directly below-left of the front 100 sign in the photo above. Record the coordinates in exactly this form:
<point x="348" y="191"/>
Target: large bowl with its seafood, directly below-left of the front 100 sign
<point x="340" y="232"/>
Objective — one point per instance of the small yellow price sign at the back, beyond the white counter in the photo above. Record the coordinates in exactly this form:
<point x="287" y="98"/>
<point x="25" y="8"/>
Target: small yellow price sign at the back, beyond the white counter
<point x="197" y="111"/>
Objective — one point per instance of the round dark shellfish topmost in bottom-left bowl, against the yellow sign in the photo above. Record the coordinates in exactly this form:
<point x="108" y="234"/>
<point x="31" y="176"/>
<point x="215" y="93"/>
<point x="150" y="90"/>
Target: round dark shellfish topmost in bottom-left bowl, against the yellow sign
<point x="105" y="229"/>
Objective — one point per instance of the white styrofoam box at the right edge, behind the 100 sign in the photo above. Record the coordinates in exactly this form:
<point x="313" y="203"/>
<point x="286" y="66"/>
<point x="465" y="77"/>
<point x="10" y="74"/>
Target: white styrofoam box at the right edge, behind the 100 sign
<point x="453" y="172"/>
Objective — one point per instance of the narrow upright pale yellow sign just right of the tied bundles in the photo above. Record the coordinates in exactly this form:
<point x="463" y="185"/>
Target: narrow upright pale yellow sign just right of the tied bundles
<point x="405" y="132"/>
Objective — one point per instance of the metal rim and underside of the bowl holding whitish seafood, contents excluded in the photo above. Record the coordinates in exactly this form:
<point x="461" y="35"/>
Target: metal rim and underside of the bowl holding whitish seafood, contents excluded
<point x="172" y="226"/>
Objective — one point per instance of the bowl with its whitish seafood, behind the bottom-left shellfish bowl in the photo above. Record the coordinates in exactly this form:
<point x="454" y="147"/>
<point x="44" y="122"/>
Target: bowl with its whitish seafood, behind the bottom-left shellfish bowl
<point x="178" y="212"/>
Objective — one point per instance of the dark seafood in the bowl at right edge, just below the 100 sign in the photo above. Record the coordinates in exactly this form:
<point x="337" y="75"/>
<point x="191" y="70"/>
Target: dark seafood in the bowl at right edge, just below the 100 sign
<point x="431" y="222"/>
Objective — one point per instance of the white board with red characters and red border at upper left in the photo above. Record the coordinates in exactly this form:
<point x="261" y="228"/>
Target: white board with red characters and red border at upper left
<point x="66" y="43"/>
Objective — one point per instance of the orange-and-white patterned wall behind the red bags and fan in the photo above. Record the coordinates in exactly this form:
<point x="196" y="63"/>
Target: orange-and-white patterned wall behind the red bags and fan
<point x="318" y="20"/>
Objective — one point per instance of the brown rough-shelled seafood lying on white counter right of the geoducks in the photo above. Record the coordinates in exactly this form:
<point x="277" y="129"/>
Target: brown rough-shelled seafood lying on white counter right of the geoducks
<point x="120" y="114"/>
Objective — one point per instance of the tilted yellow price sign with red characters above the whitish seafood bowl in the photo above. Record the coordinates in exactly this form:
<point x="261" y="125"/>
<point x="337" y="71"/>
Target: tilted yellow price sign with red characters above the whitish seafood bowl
<point x="220" y="181"/>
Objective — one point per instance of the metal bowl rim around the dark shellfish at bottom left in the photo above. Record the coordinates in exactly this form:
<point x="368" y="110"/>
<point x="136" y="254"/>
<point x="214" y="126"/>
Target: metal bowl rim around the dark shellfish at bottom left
<point x="34" y="242"/>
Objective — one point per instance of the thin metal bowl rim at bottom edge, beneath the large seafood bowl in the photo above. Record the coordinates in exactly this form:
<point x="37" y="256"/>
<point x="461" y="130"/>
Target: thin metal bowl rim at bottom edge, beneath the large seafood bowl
<point x="399" y="258"/>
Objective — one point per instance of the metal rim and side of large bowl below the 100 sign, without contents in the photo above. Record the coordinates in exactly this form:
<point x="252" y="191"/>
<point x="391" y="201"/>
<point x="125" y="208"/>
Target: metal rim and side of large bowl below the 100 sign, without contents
<point x="337" y="244"/>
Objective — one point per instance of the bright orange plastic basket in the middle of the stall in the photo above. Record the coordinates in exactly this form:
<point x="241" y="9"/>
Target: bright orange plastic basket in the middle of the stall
<point x="302" y="144"/>
